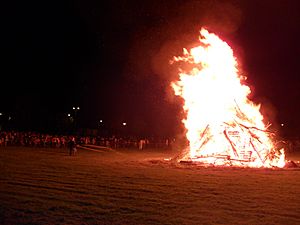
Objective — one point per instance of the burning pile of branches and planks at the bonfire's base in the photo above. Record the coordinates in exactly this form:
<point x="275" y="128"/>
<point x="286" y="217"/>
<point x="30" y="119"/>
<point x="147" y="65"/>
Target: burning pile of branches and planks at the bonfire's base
<point x="243" y="147"/>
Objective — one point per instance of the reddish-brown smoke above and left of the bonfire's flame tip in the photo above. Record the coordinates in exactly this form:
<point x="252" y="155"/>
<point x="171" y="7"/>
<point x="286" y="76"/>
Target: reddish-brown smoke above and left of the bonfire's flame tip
<point x="154" y="47"/>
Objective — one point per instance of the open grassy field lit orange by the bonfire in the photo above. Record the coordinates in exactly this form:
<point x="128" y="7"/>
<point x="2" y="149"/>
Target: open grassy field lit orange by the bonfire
<point x="47" y="186"/>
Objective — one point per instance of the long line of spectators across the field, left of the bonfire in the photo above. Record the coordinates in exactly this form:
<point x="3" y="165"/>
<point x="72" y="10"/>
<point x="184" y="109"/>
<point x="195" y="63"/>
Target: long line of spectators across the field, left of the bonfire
<point x="32" y="139"/>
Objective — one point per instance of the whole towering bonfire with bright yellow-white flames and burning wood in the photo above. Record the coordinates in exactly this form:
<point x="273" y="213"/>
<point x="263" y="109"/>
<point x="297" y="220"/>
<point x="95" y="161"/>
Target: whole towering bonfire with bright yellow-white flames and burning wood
<point x="223" y="126"/>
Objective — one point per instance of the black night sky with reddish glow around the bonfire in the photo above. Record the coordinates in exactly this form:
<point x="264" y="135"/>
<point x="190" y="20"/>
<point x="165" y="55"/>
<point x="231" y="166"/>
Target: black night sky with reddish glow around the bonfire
<point x="112" y="59"/>
